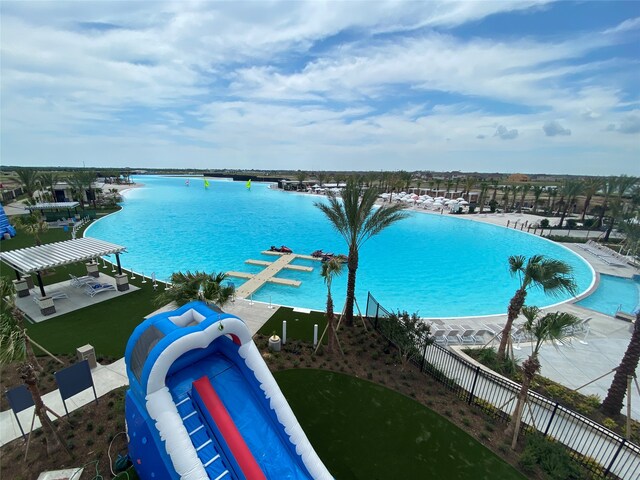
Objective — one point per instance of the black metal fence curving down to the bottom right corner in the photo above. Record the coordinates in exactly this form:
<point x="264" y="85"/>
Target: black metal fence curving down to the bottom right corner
<point x="603" y="452"/>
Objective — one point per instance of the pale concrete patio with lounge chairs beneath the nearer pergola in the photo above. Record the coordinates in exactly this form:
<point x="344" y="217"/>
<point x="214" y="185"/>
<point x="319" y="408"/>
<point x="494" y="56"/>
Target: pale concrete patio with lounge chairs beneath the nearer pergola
<point x="76" y="298"/>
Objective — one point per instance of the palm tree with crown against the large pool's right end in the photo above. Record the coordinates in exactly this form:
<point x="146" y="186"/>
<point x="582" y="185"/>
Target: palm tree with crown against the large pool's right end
<point x="552" y="276"/>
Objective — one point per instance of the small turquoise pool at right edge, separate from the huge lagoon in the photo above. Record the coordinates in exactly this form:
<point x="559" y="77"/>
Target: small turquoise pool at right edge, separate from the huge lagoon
<point x="613" y="294"/>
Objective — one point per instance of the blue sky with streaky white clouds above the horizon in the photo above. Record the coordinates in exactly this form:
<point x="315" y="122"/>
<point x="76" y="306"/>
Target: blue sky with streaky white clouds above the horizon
<point x="483" y="86"/>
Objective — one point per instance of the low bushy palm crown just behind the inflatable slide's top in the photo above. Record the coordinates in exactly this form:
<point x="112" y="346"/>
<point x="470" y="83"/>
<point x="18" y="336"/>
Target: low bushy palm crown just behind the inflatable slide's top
<point x="187" y="287"/>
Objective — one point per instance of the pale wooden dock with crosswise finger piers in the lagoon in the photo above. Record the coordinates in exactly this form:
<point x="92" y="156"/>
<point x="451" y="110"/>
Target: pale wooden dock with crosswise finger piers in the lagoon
<point x="268" y="274"/>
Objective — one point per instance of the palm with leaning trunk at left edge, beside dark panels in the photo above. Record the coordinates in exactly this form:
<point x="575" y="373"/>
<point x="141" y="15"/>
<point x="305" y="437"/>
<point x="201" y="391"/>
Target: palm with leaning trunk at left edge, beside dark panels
<point x="15" y="347"/>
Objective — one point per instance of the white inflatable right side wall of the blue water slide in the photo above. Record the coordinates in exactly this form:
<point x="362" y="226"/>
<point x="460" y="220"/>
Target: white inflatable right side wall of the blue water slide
<point x="286" y="417"/>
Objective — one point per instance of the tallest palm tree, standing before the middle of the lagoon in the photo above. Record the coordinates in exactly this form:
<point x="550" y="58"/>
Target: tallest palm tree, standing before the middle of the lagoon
<point x="356" y="221"/>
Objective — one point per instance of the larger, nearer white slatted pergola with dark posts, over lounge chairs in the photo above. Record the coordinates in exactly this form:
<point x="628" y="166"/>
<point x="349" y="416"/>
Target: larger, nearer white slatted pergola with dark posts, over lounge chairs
<point x="42" y="257"/>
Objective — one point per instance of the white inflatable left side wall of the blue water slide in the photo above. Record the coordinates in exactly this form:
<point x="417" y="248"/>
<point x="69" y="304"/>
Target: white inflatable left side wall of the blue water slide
<point x="177" y="442"/>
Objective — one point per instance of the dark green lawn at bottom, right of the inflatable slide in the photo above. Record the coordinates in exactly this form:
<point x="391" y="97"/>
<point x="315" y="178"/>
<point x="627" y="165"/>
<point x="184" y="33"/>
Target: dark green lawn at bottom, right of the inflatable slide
<point x="365" y="431"/>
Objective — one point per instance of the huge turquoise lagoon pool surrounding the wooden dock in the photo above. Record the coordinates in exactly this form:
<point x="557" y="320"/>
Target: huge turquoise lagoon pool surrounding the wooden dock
<point x="437" y="265"/>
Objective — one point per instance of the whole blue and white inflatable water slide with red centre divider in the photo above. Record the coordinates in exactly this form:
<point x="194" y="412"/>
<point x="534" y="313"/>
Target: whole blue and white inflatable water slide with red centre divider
<point x="202" y="403"/>
